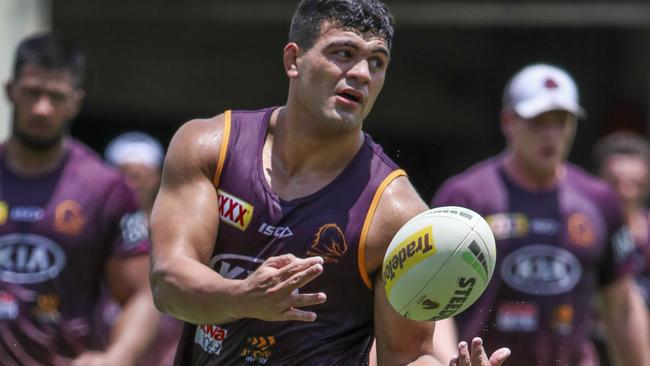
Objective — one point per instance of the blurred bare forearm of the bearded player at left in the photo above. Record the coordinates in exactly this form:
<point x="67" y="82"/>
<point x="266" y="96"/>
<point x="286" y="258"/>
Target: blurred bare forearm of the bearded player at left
<point x="134" y="329"/>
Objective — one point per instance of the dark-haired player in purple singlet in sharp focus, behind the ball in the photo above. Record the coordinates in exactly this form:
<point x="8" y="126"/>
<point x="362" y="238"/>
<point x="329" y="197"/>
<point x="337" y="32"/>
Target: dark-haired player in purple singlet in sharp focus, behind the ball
<point x="270" y="226"/>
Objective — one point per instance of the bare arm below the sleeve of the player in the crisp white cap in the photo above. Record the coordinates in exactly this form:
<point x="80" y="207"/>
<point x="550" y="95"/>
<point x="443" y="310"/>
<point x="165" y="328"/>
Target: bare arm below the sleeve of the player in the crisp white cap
<point x="625" y="317"/>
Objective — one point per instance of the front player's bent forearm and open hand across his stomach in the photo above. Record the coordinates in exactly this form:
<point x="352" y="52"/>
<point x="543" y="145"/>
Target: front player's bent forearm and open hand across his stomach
<point x="193" y="292"/>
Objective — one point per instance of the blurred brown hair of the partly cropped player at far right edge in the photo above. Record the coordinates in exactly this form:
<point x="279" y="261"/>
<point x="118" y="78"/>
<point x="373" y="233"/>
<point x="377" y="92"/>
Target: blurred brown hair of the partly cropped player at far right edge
<point x="621" y="143"/>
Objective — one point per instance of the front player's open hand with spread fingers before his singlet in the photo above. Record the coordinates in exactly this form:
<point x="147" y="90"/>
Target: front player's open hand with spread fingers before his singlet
<point x="272" y="292"/>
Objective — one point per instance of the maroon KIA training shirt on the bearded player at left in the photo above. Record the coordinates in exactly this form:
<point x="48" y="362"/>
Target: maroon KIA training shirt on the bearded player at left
<point x="57" y="232"/>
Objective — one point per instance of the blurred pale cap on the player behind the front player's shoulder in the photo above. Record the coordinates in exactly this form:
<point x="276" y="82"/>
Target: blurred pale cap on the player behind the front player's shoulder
<point x="134" y="147"/>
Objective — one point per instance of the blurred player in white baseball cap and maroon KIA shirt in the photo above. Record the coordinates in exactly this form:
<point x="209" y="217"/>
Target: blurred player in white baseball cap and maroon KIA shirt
<point x="560" y="236"/>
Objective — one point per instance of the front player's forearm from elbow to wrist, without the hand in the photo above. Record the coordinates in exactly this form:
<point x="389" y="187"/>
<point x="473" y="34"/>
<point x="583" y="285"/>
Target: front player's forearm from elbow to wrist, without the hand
<point x="192" y="292"/>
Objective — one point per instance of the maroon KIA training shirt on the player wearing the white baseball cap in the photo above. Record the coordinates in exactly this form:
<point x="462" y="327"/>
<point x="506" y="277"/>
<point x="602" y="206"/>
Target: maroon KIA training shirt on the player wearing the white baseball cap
<point x="555" y="248"/>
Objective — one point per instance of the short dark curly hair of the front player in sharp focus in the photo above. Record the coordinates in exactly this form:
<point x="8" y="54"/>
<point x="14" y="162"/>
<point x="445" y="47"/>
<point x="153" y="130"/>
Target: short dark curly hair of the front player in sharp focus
<point x="363" y="15"/>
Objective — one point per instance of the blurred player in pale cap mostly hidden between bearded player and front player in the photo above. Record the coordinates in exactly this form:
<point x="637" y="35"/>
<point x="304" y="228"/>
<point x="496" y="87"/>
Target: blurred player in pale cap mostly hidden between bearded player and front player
<point x="139" y="157"/>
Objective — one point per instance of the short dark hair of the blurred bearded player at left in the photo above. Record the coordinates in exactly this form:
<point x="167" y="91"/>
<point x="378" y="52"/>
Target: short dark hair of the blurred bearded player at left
<point x="52" y="52"/>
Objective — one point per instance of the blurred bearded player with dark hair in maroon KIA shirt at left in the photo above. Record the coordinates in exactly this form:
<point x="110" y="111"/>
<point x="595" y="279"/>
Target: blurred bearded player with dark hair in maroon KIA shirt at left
<point x="67" y="223"/>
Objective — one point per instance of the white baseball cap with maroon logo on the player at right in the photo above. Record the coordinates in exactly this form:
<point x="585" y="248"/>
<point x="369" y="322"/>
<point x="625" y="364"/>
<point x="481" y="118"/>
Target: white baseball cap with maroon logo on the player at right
<point x="542" y="88"/>
